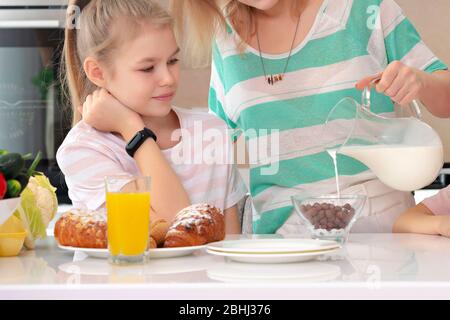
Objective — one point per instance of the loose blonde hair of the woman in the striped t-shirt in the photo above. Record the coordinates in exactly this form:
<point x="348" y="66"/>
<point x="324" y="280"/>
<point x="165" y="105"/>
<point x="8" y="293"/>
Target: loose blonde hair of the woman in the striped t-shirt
<point x="206" y="18"/>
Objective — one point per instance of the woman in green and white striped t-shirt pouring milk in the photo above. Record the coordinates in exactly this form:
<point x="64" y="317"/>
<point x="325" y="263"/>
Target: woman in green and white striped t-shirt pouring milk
<point x="279" y="67"/>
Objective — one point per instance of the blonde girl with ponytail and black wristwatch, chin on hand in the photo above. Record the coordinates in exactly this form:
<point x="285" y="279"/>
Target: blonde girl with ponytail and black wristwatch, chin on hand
<point x="123" y="61"/>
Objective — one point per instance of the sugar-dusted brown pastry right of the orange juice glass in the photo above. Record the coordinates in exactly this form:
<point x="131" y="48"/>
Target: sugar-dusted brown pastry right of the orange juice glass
<point x="196" y="225"/>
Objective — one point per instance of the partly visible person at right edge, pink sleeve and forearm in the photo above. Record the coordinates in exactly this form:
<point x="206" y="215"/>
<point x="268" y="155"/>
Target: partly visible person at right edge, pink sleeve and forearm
<point x="432" y="216"/>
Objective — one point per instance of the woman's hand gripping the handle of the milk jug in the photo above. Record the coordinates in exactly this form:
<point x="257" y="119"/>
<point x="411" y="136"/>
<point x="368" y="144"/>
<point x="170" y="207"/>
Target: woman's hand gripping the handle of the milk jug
<point x="398" y="81"/>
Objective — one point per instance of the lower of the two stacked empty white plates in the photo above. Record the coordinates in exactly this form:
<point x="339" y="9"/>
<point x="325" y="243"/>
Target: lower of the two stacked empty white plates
<point x="272" y="257"/>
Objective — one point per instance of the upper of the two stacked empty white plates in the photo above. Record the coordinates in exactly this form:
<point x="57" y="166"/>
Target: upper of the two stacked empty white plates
<point x="272" y="246"/>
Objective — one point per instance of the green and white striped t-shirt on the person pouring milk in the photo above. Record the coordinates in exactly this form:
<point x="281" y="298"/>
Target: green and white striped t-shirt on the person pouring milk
<point x="349" y="40"/>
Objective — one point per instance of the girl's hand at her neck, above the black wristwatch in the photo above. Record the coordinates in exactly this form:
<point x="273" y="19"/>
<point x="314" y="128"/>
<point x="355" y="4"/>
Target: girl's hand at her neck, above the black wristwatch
<point x="104" y="112"/>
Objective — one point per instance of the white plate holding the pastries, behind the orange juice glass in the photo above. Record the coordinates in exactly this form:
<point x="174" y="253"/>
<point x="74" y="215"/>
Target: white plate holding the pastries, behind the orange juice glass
<point x="159" y="253"/>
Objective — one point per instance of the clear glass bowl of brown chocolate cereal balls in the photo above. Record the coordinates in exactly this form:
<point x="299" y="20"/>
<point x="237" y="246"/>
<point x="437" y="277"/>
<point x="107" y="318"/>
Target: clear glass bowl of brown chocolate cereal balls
<point x="329" y="217"/>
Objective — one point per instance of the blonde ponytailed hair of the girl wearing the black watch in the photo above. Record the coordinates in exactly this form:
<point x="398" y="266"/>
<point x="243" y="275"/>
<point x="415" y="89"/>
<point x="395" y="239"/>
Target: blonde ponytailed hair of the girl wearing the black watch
<point x="92" y="30"/>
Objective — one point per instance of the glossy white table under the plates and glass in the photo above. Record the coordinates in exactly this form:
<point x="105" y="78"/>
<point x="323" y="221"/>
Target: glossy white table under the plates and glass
<point x="371" y="266"/>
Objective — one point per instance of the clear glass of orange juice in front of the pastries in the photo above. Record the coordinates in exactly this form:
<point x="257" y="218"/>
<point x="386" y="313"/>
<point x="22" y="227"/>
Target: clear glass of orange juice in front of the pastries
<point x="128" y="217"/>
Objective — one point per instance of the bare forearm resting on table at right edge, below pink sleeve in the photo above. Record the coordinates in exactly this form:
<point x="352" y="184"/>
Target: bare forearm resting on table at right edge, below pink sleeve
<point x="420" y="219"/>
